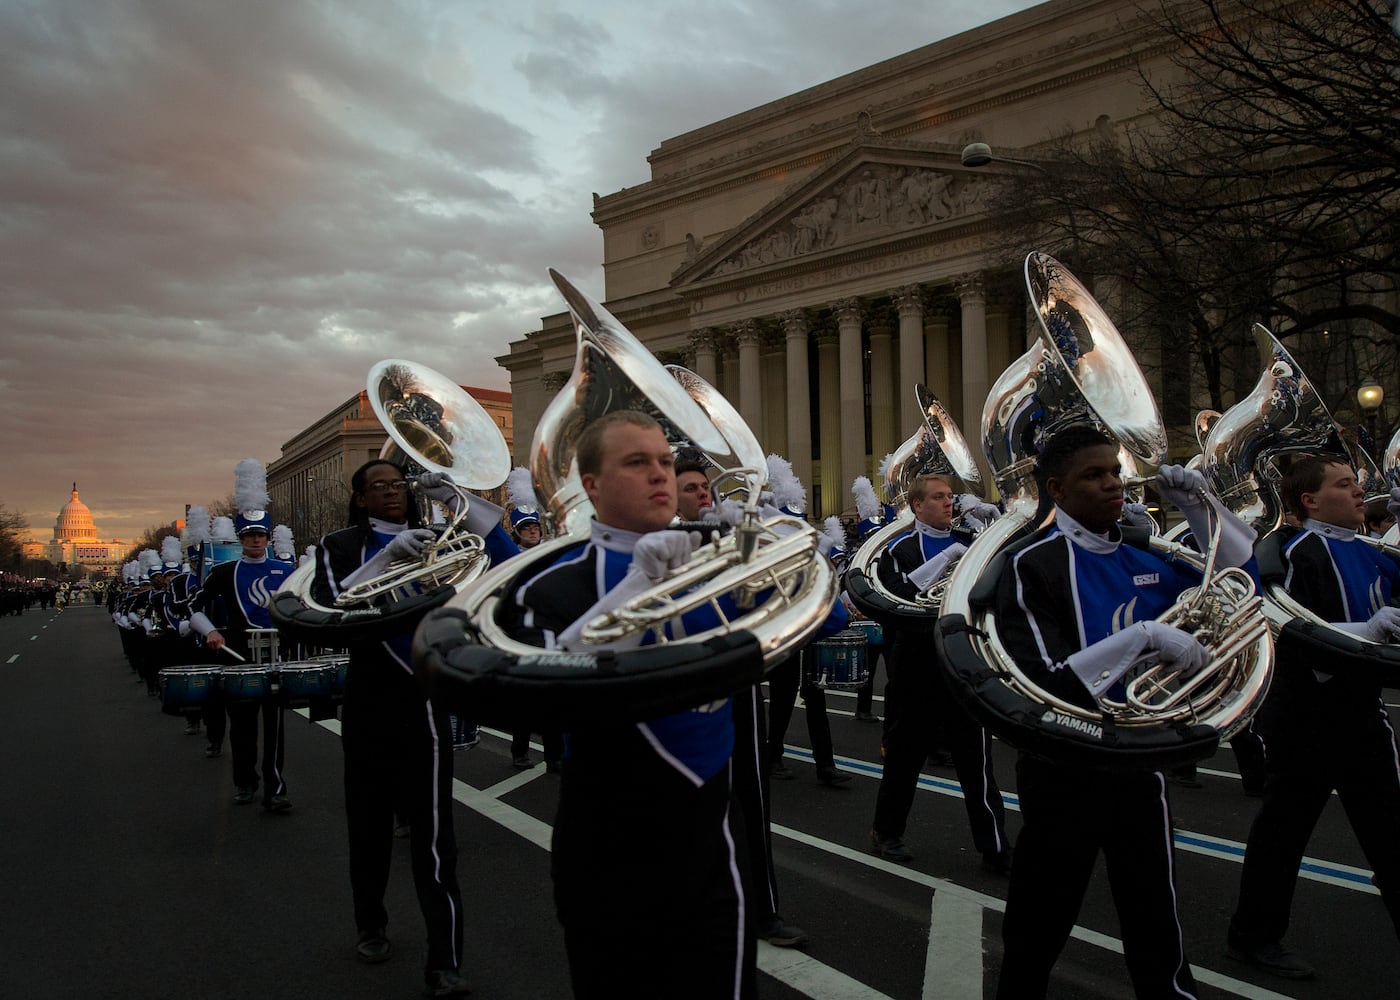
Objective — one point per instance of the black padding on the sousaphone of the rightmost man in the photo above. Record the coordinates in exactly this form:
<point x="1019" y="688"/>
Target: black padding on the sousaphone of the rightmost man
<point x="1314" y="642"/>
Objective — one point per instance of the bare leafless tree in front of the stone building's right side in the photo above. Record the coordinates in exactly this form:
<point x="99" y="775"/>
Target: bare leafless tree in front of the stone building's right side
<point x="1261" y="188"/>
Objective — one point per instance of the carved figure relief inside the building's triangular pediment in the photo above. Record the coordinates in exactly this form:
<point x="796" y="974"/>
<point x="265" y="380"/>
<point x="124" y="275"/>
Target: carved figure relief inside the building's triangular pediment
<point x="874" y="201"/>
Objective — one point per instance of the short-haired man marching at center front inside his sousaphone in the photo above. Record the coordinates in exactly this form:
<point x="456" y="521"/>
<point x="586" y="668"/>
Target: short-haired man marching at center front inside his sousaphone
<point x="663" y="911"/>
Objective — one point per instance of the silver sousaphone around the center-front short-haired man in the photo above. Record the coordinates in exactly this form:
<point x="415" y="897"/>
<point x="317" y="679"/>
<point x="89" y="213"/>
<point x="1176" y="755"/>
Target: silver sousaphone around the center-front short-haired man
<point x="470" y="653"/>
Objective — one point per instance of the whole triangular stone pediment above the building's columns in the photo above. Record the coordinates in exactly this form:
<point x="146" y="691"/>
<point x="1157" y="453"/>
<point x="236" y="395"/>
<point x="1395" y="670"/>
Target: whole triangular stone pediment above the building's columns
<point x="869" y="195"/>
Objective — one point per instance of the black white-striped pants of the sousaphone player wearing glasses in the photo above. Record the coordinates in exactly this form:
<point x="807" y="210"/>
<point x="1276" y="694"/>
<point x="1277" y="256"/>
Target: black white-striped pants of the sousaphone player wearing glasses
<point x="398" y="751"/>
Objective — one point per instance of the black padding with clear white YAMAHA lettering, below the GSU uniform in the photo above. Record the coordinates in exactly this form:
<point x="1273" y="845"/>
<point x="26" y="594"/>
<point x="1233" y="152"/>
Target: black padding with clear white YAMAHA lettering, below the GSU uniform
<point x="1034" y="728"/>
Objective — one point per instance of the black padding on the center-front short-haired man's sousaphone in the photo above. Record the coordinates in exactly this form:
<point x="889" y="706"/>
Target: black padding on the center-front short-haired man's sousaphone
<point x="562" y="691"/>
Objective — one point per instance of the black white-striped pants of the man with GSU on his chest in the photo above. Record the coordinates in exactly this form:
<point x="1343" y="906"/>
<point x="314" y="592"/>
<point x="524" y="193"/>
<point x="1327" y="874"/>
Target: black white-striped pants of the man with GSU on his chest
<point x="1070" y="816"/>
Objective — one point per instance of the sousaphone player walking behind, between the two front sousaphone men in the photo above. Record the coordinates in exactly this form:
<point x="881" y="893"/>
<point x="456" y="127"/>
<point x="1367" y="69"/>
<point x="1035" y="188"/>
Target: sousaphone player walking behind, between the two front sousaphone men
<point x="923" y="715"/>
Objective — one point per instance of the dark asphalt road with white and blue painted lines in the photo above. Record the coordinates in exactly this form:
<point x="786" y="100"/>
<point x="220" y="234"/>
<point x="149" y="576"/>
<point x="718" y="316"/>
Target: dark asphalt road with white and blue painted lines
<point x="129" y="873"/>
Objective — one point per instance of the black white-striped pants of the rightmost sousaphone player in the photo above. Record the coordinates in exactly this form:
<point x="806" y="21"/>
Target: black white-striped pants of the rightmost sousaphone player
<point x="1318" y="737"/>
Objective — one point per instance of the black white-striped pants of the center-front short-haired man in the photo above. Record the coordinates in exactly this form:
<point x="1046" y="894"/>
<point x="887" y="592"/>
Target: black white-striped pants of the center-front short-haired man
<point x="647" y="879"/>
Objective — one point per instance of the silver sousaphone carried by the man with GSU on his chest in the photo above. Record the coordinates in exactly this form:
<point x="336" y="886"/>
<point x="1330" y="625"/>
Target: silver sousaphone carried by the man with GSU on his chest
<point x="1081" y="372"/>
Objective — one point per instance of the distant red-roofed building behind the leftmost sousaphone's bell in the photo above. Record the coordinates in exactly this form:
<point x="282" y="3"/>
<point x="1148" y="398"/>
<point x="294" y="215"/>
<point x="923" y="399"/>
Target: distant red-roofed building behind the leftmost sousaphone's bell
<point x="310" y="484"/>
